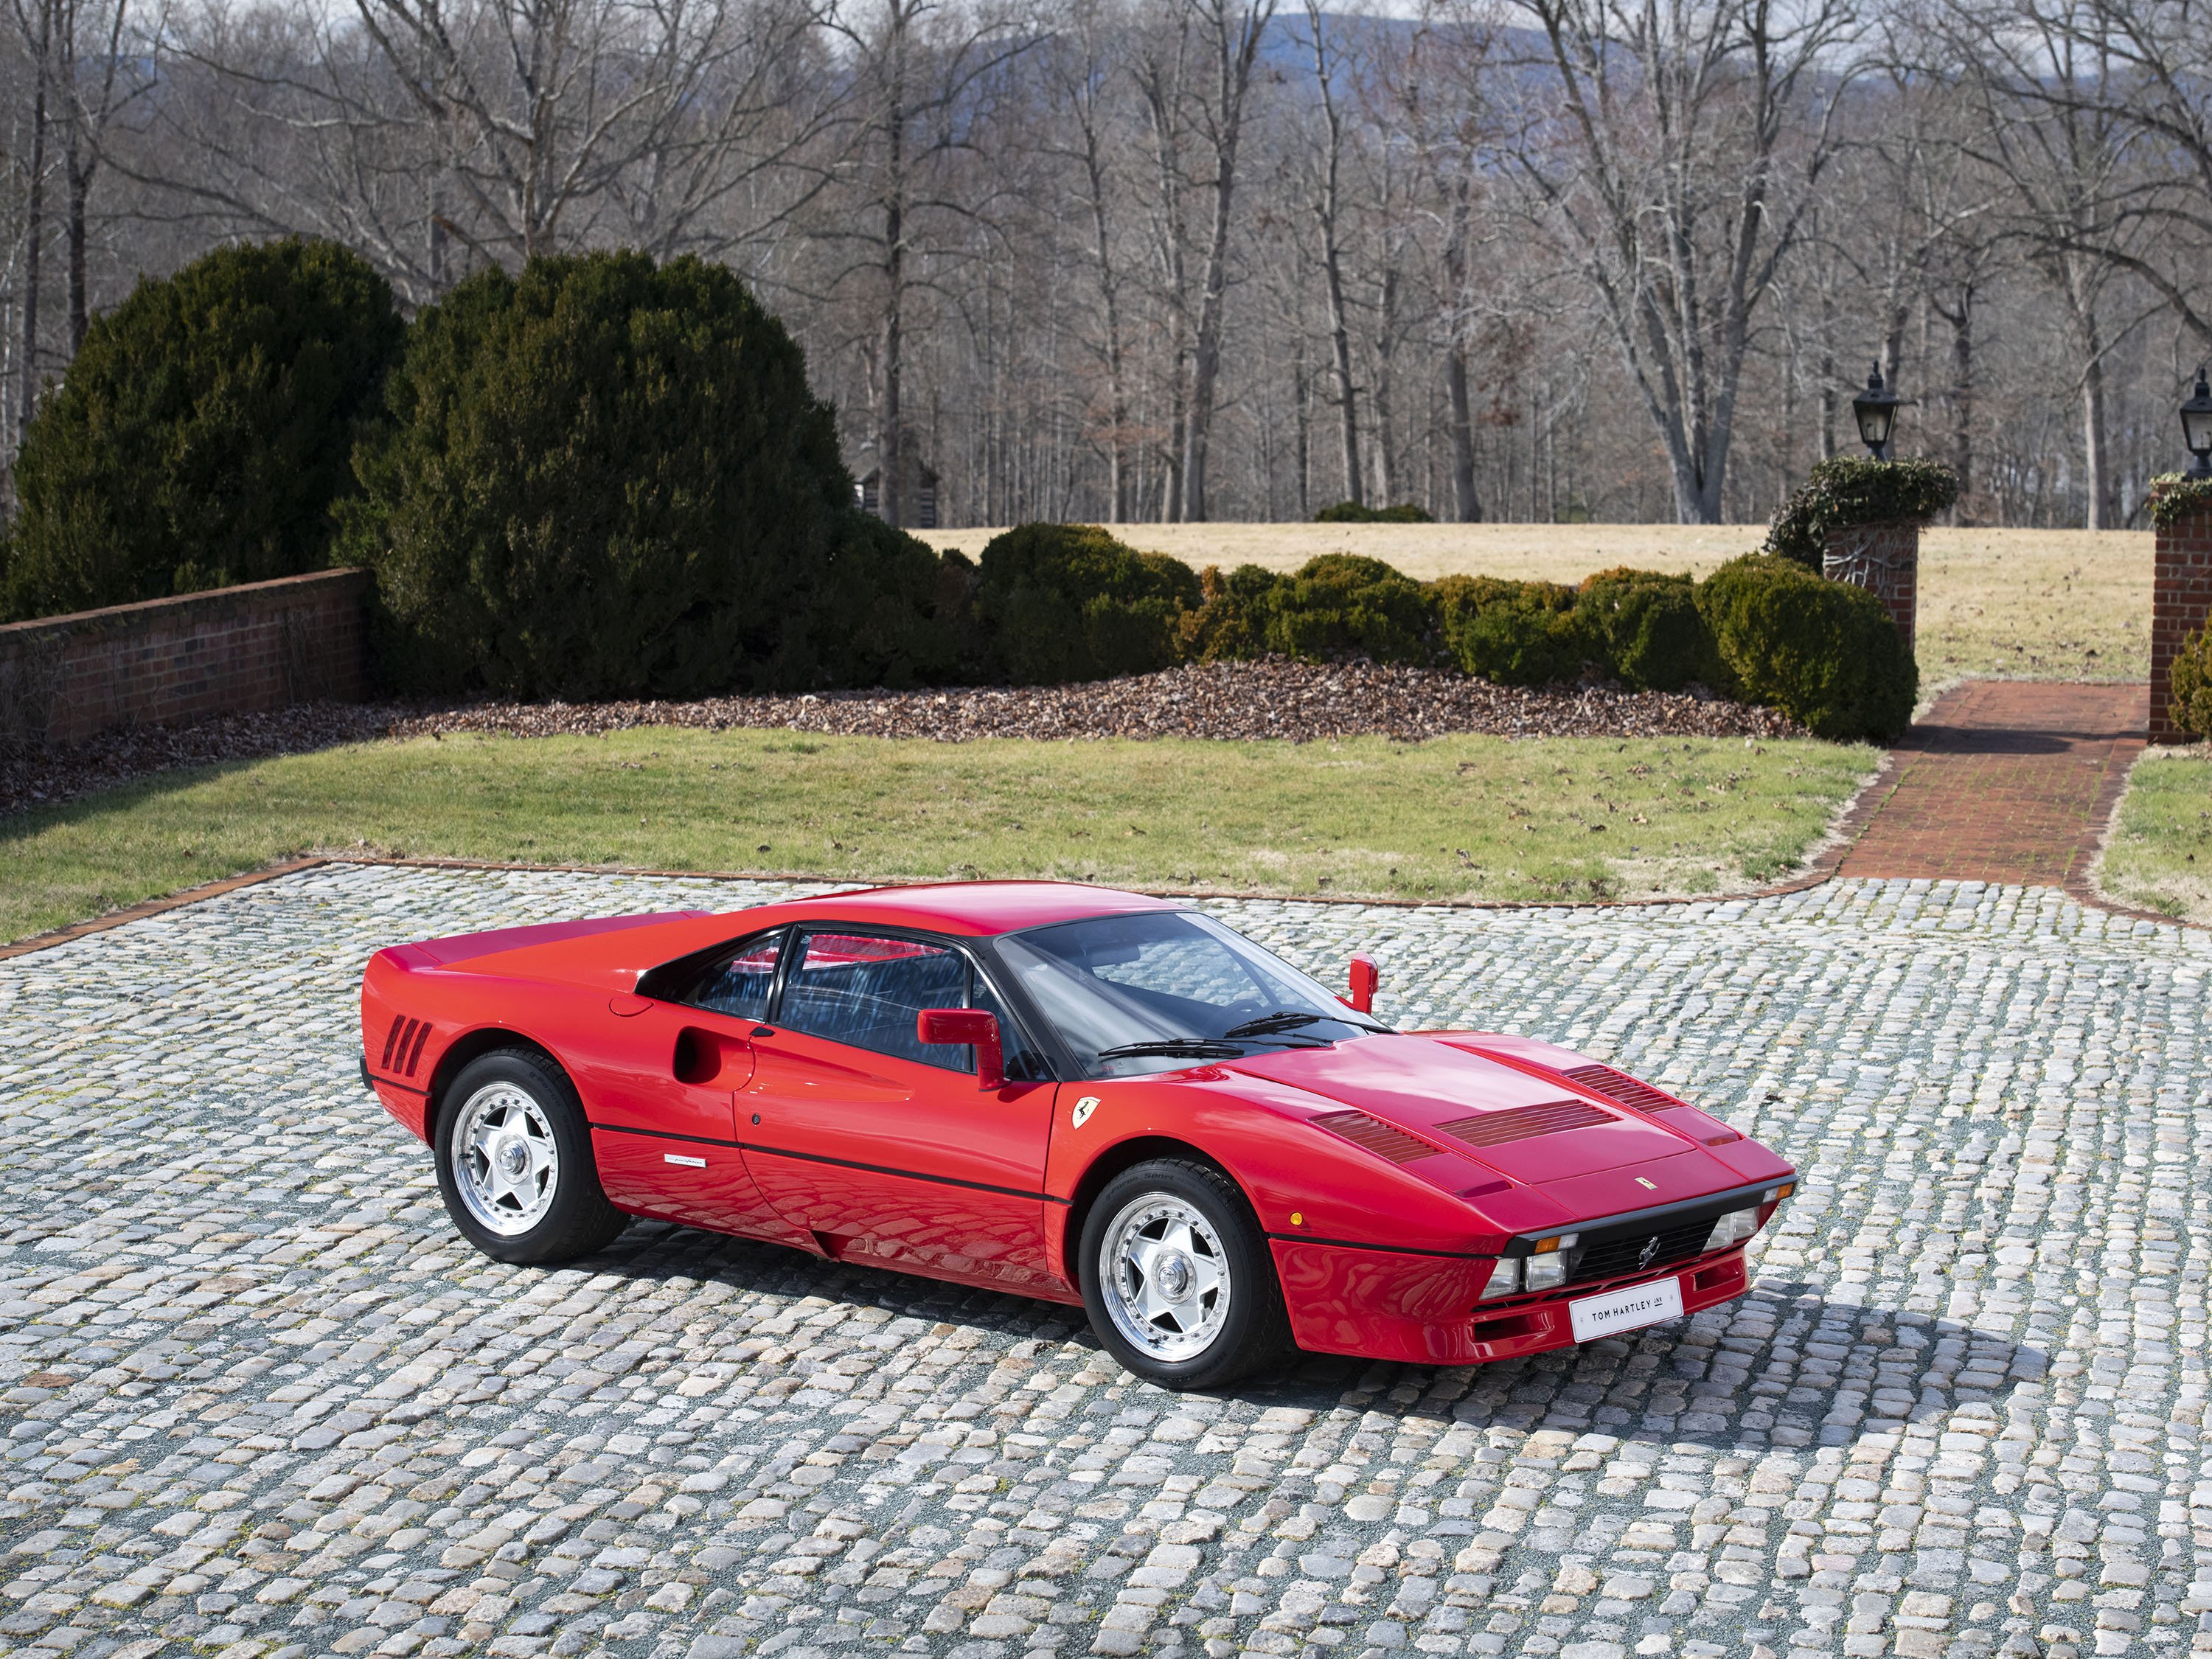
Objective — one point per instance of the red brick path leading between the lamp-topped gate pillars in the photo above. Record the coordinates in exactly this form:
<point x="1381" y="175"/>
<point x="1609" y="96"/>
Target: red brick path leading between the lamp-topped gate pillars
<point x="2005" y="782"/>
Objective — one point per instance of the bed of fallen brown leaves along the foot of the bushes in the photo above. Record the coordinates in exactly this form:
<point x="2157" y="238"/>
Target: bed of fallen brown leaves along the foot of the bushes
<point x="1249" y="700"/>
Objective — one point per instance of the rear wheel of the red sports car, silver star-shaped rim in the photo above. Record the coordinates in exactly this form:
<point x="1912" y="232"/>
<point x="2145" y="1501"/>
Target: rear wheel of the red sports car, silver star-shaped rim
<point x="552" y="1209"/>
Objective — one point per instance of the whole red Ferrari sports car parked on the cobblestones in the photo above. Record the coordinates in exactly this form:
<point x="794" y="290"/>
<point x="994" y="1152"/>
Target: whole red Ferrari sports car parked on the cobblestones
<point x="1070" y="1094"/>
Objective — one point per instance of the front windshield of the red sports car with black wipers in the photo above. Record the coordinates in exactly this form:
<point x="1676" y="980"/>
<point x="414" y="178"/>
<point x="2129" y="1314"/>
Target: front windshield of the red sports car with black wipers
<point x="1134" y="994"/>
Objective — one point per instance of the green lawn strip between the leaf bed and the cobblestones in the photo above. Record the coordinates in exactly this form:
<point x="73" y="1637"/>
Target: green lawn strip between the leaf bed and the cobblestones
<point x="1470" y="817"/>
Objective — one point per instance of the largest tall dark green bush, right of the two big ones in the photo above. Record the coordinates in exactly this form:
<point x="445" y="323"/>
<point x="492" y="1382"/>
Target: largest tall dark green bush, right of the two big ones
<point x="609" y="479"/>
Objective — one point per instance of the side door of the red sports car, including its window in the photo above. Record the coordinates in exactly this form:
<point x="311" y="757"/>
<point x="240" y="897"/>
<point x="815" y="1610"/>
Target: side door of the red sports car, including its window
<point x="884" y="1147"/>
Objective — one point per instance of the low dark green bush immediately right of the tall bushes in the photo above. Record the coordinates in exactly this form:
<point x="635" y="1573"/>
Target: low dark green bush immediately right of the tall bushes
<point x="1061" y="603"/>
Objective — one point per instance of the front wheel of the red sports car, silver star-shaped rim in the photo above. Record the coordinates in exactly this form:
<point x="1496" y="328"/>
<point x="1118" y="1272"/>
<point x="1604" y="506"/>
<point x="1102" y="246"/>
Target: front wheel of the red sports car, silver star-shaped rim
<point x="1191" y="1344"/>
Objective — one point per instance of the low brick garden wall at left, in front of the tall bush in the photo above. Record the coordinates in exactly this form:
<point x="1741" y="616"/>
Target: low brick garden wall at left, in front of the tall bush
<point x="247" y="649"/>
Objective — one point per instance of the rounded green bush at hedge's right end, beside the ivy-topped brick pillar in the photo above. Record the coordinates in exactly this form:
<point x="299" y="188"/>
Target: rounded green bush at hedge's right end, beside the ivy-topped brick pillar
<point x="1826" y="654"/>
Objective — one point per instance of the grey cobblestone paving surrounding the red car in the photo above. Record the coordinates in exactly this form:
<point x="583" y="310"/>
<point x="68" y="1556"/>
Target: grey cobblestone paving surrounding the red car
<point x="260" y="1401"/>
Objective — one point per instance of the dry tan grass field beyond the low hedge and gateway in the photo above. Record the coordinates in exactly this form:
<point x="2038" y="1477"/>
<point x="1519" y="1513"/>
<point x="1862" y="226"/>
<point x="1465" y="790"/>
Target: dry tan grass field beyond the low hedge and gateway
<point x="2032" y="605"/>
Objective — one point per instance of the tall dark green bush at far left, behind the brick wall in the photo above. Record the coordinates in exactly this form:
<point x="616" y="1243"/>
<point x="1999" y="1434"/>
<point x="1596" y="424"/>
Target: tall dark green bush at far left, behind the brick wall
<point x="202" y="435"/>
